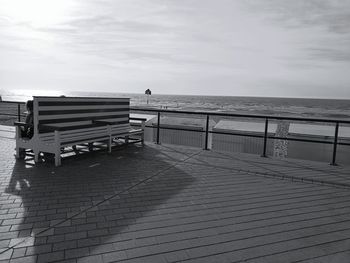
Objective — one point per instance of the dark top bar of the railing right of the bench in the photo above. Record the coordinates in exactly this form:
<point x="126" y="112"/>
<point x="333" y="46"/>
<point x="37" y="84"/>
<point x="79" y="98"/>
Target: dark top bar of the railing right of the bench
<point x="257" y="116"/>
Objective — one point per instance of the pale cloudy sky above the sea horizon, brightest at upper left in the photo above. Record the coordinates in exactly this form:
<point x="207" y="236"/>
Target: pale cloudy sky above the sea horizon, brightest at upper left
<point x="272" y="48"/>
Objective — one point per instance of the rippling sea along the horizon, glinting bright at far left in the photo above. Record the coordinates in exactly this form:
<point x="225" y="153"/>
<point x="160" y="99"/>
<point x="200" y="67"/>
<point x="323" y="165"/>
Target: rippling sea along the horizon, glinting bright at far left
<point x="302" y="107"/>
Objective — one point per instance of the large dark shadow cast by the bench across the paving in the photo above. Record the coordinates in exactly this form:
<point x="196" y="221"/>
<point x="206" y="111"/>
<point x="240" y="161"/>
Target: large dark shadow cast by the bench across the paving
<point x="94" y="201"/>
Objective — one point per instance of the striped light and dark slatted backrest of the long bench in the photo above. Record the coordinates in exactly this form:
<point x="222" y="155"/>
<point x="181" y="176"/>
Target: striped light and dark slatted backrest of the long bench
<point x="70" y="113"/>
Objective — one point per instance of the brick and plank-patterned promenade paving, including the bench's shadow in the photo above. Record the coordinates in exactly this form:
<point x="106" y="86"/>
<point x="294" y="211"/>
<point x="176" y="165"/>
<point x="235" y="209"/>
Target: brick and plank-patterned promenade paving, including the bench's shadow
<point x="165" y="203"/>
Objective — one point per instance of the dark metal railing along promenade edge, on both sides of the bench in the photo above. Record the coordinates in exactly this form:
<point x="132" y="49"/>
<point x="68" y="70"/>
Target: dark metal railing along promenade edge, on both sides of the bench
<point x="207" y="131"/>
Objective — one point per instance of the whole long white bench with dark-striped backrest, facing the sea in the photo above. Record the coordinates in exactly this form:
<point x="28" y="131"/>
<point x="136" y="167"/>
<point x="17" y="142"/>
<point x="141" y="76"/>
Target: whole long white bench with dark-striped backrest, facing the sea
<point x="61" y="122"/>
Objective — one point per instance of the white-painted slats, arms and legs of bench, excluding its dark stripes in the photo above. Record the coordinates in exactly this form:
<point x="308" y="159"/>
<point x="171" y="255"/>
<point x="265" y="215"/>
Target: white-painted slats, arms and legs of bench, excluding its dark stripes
<point x="52" y="142"/>
